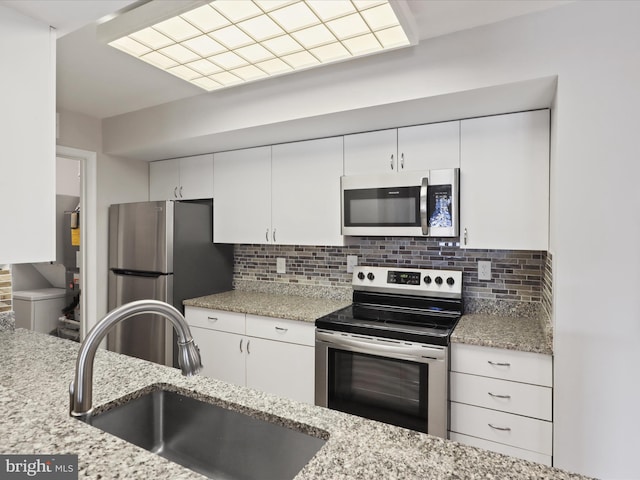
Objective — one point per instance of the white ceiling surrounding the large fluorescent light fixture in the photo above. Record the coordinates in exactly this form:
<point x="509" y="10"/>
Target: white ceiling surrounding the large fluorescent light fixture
<point x="99" y="81"/>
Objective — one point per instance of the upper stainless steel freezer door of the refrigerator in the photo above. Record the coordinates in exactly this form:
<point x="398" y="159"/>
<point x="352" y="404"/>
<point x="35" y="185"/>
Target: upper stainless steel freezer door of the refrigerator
<point x="141" y="236"/>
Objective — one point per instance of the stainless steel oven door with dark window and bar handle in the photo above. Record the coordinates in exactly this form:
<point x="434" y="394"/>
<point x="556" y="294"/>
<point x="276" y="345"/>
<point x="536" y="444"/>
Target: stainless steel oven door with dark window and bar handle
<point x="391" y="381"/>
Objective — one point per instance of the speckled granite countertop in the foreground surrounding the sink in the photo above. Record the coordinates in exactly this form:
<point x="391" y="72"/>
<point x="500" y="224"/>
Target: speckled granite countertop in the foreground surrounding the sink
<point x="36" y="371"/>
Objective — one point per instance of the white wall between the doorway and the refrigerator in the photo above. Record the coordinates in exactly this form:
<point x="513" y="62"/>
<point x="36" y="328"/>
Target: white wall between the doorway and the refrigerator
<point x="117" y="181"/>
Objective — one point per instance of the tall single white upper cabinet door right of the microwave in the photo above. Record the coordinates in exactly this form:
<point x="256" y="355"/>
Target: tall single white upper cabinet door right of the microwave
<point x="504" y="184"/>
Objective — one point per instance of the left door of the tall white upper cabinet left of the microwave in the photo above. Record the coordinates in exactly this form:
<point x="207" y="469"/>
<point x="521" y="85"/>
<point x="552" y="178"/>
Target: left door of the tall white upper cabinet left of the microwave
<point x="242" y="203"/>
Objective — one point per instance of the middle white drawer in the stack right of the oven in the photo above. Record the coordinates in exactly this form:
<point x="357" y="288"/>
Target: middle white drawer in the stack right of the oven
<point x="513" y="397"/>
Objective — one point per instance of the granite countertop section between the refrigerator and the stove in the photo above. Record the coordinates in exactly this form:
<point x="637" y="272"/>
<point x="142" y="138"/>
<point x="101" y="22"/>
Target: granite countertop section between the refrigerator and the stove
<point x="292" y="307"/>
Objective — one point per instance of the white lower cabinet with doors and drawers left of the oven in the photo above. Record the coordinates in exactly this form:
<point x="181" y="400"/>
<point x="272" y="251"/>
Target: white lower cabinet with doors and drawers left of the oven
<point x="269" y="354"/>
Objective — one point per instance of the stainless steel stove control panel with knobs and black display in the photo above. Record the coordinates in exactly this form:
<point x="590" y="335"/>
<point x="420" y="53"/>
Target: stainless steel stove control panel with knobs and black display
<point x="408" y="280"/>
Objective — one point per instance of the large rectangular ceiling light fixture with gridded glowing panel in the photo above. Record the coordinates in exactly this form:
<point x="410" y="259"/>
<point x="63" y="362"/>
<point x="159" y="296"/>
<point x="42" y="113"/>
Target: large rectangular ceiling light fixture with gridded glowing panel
<point x="229" y="42"/>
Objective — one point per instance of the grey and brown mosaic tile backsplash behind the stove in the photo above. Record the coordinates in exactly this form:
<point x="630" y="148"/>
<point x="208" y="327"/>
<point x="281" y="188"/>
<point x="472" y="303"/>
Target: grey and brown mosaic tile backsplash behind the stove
<point x="518" y="276"/>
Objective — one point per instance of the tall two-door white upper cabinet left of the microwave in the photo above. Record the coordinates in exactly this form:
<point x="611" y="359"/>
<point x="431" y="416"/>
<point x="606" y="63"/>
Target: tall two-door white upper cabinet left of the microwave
<point x="285" y="194"/>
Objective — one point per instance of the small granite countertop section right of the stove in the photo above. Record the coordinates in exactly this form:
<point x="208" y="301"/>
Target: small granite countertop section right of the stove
<point x="508" y="332"/>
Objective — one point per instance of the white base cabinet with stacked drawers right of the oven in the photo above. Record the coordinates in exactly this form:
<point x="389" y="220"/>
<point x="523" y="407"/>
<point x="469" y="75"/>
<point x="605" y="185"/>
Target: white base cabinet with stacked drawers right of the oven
<point x="501" y="400"/>
